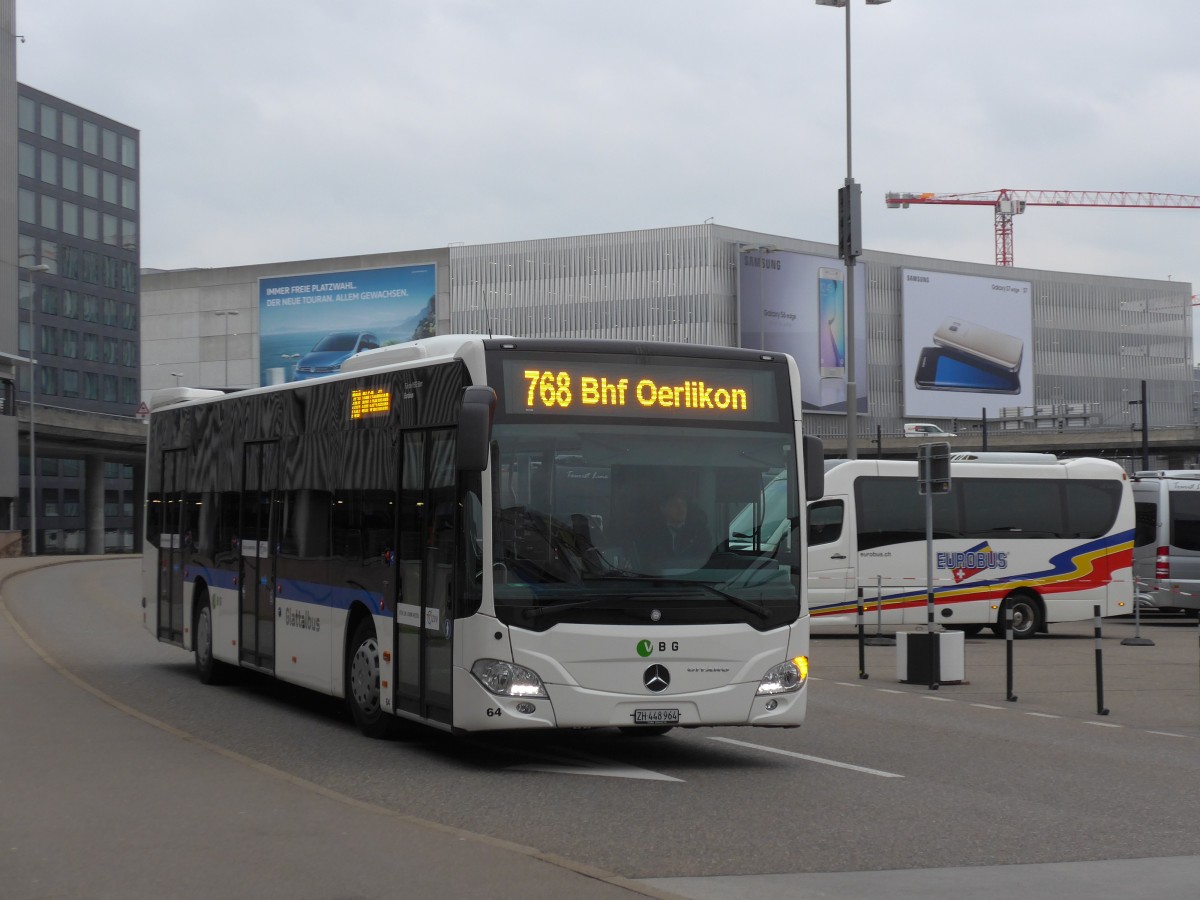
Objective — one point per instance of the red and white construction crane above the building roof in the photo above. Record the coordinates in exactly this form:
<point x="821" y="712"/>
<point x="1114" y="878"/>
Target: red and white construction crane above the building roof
<point x="1009" y="203"/>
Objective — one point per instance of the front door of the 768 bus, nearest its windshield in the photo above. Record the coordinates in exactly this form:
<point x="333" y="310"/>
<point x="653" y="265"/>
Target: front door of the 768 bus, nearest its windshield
<point x="428" y="553"/>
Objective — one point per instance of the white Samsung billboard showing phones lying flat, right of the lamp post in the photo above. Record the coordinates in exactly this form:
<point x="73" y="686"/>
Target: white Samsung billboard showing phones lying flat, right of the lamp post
<point x="968" y="345"/>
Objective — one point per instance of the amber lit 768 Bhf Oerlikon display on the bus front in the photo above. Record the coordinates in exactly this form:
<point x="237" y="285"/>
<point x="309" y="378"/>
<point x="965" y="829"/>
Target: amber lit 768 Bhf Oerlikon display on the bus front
<point x="575" y="388"/>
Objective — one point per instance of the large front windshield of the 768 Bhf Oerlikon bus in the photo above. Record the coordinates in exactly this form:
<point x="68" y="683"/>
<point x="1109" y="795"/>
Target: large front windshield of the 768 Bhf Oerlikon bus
<point x="628" y="524"/>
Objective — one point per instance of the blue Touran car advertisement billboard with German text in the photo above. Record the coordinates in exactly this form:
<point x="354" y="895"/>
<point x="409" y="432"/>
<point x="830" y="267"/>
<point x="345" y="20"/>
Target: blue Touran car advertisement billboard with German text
<point x="310" y="325"/>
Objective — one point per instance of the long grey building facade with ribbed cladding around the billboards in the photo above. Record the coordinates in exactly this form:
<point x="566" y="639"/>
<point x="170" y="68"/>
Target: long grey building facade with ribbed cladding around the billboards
<point x="1095" y="339"/>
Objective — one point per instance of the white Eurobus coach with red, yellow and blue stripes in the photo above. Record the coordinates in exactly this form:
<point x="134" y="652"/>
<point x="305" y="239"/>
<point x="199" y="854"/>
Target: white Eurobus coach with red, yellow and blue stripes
<point x="1055" y="539"/>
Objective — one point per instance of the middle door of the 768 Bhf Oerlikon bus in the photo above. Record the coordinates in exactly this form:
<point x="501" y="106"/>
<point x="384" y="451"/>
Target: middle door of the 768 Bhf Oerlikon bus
<point x="257" y="541"/>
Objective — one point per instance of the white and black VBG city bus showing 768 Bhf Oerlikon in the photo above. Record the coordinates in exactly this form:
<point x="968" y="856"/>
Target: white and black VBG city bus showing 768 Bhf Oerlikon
<point x="458" y="532"/>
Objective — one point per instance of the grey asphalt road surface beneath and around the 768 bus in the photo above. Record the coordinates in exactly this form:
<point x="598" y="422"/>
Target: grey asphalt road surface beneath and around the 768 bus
<point x="123" y="777"/>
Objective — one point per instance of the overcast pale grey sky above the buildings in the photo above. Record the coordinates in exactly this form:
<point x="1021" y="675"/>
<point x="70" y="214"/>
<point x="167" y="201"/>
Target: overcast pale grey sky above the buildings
<point x="293" y="129"/>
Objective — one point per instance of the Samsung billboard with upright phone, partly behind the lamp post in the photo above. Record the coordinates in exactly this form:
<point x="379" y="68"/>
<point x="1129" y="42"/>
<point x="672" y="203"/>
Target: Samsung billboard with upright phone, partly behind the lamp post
<point x="796" y="304"/>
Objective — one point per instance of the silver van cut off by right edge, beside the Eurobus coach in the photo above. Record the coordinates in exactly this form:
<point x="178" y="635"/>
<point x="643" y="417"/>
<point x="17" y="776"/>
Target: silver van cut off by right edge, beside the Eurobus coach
<point x="1167" y="538"/>
